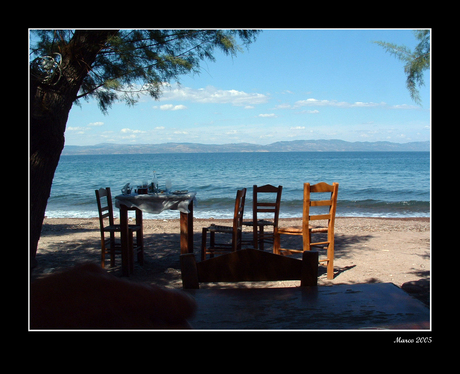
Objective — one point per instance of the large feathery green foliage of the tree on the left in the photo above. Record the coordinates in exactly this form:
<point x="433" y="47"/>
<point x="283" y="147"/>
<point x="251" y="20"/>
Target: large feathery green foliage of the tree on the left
<point x="141" y="61"/>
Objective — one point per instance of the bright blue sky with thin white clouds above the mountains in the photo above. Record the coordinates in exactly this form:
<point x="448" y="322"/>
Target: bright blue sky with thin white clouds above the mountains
<point x="288" y="85"/>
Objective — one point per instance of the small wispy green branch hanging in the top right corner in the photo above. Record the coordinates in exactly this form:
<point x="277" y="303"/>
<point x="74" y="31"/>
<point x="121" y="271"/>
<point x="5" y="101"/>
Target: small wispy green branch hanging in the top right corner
<point x="416" y="62"/>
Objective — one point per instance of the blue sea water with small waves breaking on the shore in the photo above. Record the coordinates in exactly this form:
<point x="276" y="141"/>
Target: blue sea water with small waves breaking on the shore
<point x="372" y="184"/>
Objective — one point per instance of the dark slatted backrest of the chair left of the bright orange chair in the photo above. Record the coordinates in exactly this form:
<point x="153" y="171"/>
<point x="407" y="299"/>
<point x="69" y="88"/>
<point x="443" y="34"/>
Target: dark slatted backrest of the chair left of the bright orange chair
<point x="260" y="205"/>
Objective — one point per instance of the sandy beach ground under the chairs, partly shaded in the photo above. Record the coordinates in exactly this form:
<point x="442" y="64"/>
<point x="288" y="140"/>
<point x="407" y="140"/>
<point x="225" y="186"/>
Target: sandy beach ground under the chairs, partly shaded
<point x="367" y="250"/>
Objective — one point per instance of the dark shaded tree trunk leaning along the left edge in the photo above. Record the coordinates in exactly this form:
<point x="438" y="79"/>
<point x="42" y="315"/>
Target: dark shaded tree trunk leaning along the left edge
<point x="49" y="110"/>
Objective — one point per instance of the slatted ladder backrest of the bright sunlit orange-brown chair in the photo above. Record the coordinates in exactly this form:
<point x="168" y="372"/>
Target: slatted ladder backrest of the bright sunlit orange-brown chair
<point x="331" y="202"/>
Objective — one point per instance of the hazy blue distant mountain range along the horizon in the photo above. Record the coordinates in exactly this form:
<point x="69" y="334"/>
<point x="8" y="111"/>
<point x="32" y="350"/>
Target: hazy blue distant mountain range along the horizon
<point x="286" y="146"/>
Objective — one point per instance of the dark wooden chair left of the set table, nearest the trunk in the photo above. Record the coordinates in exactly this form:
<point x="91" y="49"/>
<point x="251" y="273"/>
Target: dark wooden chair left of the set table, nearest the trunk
<point x="109" y="245"/>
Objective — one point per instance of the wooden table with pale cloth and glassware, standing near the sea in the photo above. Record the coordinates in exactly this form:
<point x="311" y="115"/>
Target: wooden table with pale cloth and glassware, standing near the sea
<point x="155" y="203"/>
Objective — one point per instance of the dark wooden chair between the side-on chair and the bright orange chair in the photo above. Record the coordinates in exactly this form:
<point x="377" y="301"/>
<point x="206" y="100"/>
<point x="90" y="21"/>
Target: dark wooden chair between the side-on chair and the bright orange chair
<point x="261" y="205"/>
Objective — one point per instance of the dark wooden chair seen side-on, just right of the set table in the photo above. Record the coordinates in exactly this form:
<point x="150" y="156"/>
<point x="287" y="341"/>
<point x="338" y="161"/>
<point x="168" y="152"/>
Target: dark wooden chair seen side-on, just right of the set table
<point x="234" y="231"/>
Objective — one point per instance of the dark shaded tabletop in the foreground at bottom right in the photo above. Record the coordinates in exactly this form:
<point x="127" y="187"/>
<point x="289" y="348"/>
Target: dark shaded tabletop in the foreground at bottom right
<point x="338" y="307"/>
